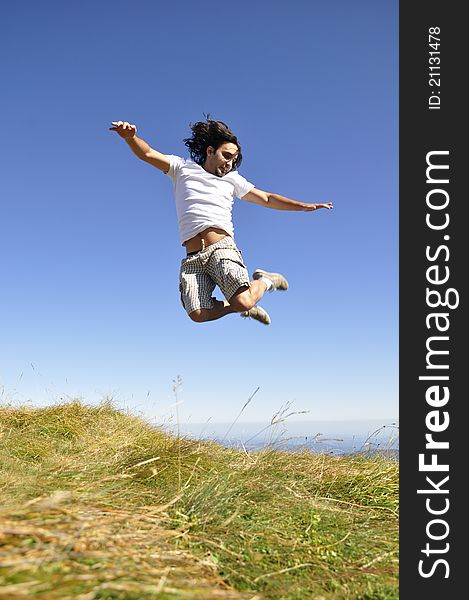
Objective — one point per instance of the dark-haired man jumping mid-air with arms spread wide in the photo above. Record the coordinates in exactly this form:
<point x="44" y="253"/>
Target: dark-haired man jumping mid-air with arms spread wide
<point x="205" y="188"/>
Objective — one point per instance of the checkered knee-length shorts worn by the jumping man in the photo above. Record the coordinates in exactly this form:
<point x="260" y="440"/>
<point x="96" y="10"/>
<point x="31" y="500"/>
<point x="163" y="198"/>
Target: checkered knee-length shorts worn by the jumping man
<point x="219" y="264"/>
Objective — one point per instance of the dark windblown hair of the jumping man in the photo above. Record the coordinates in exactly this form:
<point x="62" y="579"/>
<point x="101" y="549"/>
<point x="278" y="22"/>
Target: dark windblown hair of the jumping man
<point x="210" y="133"/>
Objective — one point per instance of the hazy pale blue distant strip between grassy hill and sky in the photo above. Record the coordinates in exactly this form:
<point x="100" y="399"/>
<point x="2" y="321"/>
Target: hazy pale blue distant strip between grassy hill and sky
<point x="331" y="437"/>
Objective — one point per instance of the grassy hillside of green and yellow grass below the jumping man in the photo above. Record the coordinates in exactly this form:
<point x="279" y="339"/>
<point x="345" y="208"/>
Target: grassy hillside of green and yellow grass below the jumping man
<point x="98" y="504"/>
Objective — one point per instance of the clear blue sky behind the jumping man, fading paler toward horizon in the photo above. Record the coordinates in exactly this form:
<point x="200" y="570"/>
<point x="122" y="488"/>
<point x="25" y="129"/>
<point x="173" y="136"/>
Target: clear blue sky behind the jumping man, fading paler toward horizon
<point x="89" y="250"/>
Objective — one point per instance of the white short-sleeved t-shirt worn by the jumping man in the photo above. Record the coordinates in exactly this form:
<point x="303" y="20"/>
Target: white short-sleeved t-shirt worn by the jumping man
<point x="202" y="199"/>
